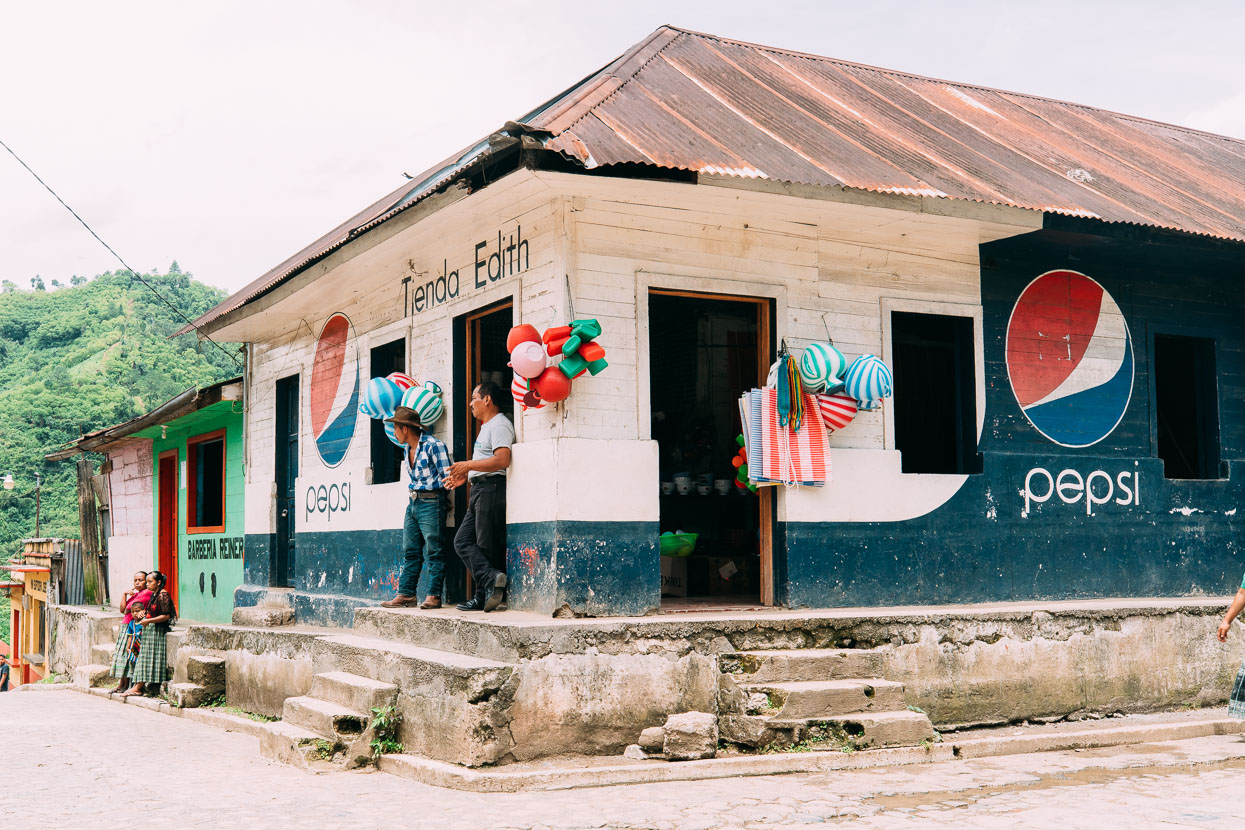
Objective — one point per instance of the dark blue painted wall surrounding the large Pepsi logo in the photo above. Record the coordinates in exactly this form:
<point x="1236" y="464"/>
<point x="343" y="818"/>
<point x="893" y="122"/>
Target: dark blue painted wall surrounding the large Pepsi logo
<point x="1183" y="537"/>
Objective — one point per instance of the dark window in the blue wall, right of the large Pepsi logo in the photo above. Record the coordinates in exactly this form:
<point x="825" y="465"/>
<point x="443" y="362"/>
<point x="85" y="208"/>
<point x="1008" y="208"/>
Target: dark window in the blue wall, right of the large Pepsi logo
<point x="1187" y="406"/>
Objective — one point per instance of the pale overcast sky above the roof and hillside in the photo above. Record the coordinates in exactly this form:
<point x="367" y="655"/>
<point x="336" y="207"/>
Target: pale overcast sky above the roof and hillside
<point x="227" y="135"/>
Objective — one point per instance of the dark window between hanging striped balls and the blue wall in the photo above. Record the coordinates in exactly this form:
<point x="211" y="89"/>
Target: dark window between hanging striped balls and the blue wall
<point x="936" y="393"/>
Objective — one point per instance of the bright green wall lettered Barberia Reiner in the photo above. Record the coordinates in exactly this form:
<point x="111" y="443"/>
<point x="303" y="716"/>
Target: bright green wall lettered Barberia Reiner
<point x="205" y="556"/>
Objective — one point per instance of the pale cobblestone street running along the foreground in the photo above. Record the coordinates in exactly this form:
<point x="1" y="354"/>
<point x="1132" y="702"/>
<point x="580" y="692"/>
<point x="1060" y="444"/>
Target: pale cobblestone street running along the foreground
<point x="75" y="761"/>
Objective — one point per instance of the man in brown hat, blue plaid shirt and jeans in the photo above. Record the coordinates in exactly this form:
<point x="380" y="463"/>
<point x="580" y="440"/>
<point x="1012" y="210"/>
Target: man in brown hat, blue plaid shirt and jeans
<point x="426" y="462"/>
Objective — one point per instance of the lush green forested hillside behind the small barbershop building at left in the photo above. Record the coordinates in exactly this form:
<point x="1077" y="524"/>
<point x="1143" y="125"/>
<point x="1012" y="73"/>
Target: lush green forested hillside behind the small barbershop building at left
<point x="80" y="358"/>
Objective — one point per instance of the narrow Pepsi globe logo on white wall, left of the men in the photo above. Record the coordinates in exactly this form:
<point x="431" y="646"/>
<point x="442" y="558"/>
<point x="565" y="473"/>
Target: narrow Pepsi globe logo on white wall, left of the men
<point x="334" y="398"/>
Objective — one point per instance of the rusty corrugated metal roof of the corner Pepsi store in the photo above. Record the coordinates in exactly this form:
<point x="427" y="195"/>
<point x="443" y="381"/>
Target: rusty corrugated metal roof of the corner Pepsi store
<point x="698" y="103"/>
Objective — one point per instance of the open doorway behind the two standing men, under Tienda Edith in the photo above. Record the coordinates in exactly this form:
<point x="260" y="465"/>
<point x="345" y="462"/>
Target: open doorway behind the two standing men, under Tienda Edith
<point x="480" y="355"/>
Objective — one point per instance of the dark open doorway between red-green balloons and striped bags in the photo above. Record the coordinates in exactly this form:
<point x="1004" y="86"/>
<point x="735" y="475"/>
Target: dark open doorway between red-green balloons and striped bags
<point x="704" y="353"/>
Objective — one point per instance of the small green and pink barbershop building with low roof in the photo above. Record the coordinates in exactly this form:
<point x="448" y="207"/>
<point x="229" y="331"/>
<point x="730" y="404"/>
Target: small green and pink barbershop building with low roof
<point x="171" y="498"/>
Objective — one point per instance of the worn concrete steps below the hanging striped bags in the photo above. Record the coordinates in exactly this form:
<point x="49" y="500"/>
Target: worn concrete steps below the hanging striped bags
<point x="807" y="697"/>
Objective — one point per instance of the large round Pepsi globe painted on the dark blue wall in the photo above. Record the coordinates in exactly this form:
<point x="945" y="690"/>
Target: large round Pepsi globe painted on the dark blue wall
<point x="1070" y="359"/>
